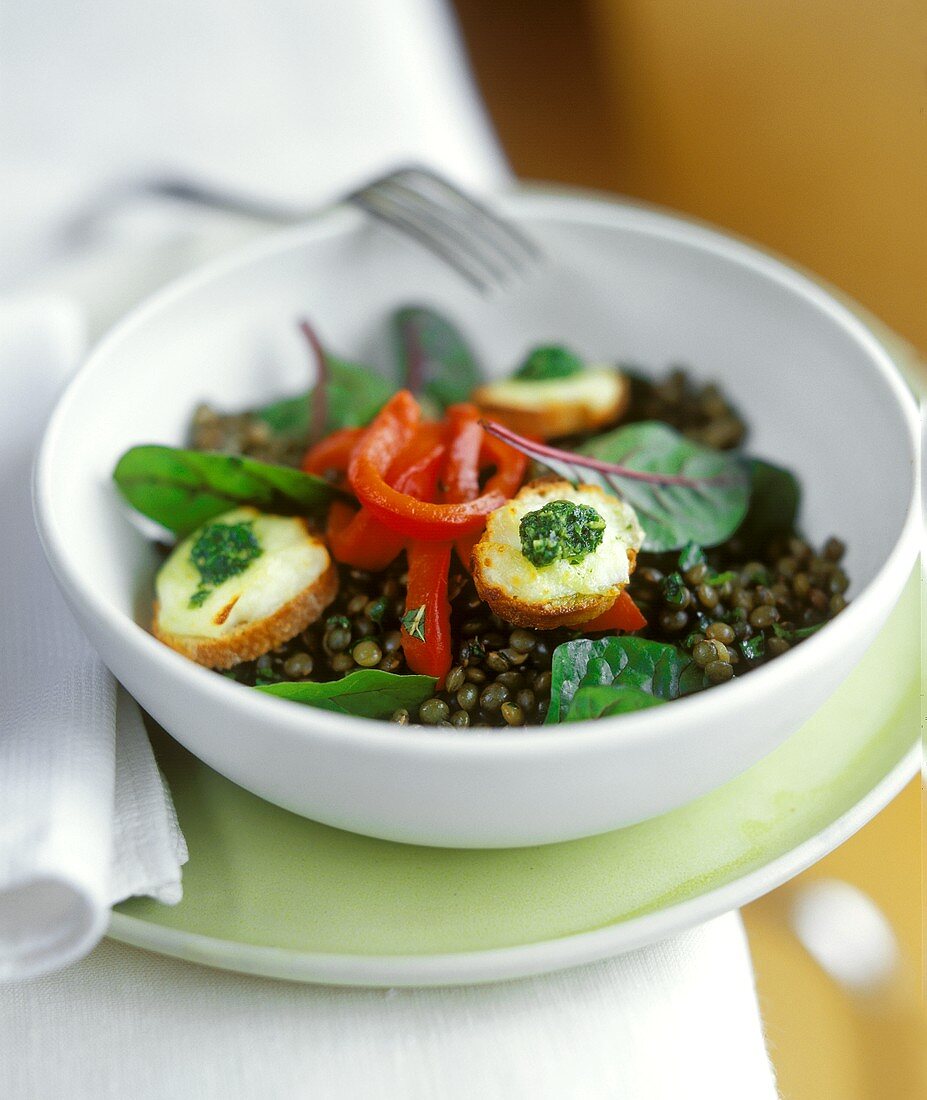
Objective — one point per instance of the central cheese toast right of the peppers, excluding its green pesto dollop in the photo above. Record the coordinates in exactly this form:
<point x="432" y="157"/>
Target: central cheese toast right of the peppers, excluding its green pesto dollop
<point x="561" y="593"/>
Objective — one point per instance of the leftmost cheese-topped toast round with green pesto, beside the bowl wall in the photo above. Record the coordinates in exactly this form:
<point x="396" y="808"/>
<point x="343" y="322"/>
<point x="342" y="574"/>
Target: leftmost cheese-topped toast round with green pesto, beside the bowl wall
<point x="283" y="581"/>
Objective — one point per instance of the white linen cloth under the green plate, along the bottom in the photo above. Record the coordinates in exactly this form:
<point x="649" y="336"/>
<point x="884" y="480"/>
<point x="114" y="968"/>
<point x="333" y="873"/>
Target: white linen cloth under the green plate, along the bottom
<point x="675" y="1021"/>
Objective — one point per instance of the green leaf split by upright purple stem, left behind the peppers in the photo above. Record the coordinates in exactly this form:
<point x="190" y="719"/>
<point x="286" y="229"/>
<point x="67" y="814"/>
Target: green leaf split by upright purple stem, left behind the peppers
<point x="354" y="395"/>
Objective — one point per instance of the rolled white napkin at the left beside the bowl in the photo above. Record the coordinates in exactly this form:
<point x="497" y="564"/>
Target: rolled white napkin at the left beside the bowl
<point x="84" y="823"/>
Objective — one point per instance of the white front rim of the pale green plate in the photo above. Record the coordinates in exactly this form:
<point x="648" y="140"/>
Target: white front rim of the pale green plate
<point x="522" y="961"/>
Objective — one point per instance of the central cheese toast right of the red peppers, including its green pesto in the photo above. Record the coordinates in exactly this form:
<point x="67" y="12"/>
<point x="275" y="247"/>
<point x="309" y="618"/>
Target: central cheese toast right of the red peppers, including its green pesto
<point x="568" y="586"/>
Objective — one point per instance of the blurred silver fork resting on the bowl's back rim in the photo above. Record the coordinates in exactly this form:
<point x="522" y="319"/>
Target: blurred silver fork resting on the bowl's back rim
<point x="490" y="251"/>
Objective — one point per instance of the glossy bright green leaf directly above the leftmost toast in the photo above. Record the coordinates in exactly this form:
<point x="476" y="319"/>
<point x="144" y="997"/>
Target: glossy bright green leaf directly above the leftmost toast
<point x="182" y="490"/>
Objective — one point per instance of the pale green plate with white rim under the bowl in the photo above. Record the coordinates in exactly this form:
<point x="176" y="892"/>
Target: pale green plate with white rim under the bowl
<point x="272" y="894"/>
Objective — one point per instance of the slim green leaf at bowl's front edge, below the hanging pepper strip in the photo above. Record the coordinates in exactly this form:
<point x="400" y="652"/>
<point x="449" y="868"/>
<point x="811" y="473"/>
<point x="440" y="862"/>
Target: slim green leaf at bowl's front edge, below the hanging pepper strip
<point x="368" y="694"/>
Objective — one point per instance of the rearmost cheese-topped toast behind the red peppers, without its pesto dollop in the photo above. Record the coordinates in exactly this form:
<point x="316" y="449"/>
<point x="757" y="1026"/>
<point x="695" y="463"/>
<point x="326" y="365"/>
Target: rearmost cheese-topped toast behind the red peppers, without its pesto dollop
<point x="556" y="408"/>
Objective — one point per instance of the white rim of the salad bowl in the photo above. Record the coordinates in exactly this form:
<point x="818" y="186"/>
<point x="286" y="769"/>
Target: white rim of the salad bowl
<point x="555" y="205"/>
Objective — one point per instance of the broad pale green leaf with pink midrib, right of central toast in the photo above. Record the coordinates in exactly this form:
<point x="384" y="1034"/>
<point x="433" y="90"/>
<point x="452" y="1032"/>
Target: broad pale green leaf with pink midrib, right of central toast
<point x="707" y="505"/>
